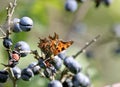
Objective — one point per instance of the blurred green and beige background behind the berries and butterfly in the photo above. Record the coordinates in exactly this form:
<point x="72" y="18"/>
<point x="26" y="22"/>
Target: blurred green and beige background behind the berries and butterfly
<point x="49" y="16"/>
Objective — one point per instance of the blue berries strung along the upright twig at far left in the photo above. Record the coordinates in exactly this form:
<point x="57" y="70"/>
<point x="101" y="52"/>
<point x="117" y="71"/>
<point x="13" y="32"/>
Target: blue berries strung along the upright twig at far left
<point x="20" y="49"/>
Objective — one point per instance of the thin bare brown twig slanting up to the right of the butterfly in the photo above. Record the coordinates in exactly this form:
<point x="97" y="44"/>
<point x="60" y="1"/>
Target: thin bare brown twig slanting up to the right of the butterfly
<point x="86" y="45"/>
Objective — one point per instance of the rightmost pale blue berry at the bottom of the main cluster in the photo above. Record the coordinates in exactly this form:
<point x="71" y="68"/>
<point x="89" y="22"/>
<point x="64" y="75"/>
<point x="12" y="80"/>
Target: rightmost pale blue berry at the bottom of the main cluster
<point x="80" y="80"/>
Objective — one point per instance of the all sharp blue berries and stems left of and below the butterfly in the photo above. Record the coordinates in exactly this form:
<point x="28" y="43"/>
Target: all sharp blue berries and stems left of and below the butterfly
<point x="49" y="67"/>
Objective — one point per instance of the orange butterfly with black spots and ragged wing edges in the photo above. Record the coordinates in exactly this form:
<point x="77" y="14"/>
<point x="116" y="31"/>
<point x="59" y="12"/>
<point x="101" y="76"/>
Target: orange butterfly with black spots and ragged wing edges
<point x="53" y="45"/>
